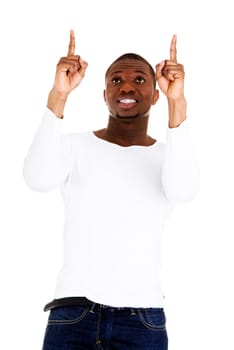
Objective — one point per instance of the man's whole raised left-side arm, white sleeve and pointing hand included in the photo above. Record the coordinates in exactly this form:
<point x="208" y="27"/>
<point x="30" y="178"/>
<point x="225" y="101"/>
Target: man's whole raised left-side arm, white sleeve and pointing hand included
<point x="49" y="159"/>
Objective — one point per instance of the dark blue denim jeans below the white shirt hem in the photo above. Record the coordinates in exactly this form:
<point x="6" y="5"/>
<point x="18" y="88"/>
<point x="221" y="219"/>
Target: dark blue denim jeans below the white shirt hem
<point x="100" y="327"/>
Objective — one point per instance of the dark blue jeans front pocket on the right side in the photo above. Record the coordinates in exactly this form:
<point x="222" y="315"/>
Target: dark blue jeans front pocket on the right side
<point x="153" y="318"/>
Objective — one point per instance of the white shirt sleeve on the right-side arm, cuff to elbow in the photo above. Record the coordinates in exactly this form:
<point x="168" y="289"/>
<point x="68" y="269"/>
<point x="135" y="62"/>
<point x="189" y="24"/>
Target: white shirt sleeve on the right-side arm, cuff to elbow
<point x="180" y="172"/>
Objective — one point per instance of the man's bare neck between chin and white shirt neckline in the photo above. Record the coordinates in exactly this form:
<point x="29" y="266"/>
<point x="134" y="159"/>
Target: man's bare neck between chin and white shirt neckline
<point x="126" y="131"/>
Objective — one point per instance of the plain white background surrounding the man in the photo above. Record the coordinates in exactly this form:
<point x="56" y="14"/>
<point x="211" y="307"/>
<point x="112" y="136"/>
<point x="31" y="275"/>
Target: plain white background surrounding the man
<point x="198" y="246"/>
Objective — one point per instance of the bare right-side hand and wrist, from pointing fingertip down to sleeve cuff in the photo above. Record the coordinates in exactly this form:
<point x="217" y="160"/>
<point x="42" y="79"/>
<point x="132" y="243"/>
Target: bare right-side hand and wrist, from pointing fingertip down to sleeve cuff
<point x="170" y="78"/>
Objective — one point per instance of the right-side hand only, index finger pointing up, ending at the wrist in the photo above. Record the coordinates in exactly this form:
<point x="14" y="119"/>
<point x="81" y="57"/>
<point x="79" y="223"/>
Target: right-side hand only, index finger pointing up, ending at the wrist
<point x="170" y="74"/>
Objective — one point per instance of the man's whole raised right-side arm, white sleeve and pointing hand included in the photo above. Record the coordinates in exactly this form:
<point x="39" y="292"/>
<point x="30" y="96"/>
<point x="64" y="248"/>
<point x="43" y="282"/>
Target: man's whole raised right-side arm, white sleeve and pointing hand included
<point x="180" y="176"/>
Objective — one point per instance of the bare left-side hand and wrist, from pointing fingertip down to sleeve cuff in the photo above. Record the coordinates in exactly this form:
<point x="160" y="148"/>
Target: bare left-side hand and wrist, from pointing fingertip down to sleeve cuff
<point x="70" y="71"/>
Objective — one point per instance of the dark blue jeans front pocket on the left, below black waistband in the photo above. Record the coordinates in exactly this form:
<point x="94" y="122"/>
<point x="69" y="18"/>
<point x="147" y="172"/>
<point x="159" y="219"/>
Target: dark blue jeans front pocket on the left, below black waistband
<point x="67" y="315"/>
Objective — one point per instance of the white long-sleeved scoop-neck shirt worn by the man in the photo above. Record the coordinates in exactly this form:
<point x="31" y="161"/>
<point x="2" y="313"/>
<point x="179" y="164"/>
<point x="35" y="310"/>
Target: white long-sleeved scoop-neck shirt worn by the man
<point x="117" y="200"/>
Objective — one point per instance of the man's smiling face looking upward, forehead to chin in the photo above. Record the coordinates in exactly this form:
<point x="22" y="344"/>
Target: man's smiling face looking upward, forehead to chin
<point x="130" y="89"/>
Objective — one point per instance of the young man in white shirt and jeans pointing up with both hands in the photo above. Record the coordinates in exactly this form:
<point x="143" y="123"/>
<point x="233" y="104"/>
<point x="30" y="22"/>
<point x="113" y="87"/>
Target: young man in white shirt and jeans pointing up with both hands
<point x="119" y="186"/>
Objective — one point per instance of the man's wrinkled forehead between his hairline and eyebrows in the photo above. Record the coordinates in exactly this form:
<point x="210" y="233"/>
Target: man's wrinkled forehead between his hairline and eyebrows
<point x="130" y="65"/>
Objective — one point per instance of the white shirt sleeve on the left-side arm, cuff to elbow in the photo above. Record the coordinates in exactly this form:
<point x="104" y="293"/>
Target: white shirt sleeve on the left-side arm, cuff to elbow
<point x="48" y="162"/>
